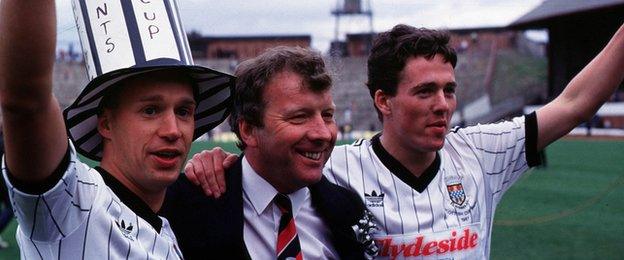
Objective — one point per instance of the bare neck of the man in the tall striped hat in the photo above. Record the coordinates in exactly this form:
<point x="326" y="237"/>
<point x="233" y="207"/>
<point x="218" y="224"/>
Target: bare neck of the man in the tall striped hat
<point x="153" y="199"/>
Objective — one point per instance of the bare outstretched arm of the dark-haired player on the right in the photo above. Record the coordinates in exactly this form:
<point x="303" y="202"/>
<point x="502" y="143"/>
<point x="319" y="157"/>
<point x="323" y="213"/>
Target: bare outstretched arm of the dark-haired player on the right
<point x="585" y="94"/>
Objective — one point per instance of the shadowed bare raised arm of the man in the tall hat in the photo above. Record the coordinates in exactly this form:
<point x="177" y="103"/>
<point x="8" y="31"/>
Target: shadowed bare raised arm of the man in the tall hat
<point x="34" y="131"/>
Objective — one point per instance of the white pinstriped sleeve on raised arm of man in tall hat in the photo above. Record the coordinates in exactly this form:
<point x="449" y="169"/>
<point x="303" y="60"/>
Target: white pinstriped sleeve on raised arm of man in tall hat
<point x="62" y="209"/>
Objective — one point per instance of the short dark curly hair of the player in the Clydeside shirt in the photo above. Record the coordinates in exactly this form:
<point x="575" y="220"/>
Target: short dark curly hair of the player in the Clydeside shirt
<point x="393" y="48"/>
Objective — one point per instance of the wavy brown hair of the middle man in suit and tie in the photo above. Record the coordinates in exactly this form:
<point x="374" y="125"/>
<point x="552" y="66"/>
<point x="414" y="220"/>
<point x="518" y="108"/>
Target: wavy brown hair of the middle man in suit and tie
<point x="252" y="77"/>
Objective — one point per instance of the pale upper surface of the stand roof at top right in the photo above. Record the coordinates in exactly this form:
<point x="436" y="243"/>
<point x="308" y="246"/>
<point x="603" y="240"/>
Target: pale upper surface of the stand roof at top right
<point x="551" y="9"/>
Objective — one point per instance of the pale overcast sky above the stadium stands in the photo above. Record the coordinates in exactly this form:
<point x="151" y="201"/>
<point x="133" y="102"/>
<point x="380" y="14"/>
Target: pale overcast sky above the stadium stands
<point x="292" y="17"/>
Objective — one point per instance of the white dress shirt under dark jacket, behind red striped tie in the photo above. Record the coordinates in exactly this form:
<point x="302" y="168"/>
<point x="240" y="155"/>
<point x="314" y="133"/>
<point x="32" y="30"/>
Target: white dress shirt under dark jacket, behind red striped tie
<point x="262" y="219"/>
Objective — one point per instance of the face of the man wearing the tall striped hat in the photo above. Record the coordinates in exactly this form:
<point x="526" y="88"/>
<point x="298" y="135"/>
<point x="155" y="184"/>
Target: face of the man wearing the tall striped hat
<point x="148" y="133"/>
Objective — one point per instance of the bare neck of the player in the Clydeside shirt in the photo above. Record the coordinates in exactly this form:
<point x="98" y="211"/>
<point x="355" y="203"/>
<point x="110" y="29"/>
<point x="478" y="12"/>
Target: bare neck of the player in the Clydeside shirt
<point x="415" y="161"/>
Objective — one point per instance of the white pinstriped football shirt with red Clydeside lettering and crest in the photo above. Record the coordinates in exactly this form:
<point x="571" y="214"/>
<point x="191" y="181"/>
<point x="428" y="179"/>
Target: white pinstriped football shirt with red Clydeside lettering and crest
<point x="448" y="211"/>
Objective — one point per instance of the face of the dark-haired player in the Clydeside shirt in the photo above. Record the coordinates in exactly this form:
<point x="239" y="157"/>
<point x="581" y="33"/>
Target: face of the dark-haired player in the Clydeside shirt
<point x="417" y="118"/>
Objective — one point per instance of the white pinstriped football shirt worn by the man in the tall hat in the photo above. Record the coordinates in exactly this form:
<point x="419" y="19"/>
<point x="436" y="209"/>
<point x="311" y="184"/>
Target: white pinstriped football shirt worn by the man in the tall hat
<point x="86" y="216"/>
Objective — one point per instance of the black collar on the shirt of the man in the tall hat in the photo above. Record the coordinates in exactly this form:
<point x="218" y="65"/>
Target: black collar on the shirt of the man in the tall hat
<point x="131" y="200"/>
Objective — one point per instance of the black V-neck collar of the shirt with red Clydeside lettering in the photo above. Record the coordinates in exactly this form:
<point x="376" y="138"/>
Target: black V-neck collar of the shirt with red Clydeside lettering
<point x="417" y="183"/>
